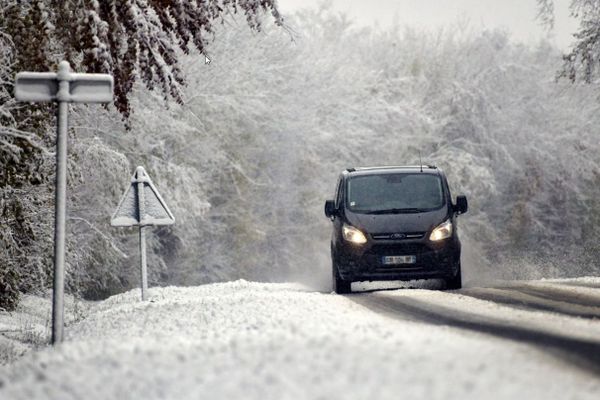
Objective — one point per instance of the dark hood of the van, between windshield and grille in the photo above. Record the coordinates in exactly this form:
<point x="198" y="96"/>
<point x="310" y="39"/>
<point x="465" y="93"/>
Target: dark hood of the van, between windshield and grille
<point x="398" y="223"/>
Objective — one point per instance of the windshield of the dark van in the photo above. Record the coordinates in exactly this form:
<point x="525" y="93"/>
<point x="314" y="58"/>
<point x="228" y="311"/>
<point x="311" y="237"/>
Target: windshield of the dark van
<point x="394" y="193"/>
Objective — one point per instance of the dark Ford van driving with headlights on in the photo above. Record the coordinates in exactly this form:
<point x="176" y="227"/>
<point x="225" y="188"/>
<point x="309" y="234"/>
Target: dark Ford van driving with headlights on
<point x="394" y="223"/>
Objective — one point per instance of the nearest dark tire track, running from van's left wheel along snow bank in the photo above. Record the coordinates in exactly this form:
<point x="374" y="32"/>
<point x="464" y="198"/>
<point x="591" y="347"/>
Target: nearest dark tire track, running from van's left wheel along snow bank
<point x="581" y="353"/>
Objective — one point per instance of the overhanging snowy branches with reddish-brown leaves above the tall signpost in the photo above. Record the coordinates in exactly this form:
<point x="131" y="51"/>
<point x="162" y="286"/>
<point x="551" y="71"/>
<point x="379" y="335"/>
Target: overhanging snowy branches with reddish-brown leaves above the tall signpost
<point x="131" y="39"/>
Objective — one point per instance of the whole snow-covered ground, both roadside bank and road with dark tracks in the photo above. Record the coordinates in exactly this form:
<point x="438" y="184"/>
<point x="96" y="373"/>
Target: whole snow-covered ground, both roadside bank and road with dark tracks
<point x="534" y="340"/>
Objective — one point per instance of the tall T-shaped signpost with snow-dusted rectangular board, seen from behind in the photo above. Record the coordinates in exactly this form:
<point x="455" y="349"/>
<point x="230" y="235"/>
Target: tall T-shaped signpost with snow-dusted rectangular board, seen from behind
<point x="62" y="87"/>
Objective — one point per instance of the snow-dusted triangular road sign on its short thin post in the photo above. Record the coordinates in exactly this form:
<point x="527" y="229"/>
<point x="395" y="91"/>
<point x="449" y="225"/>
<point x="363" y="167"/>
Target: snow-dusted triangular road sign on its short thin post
<point x="142" y="206"/>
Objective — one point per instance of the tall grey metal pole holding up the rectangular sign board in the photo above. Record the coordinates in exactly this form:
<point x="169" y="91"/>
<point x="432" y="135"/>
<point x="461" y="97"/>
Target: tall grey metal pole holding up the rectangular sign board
<point x="60" y="205"/>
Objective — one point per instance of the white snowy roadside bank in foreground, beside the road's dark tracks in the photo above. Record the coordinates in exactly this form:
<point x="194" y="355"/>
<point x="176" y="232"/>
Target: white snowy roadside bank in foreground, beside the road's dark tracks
<point x="278" y="341"/>
